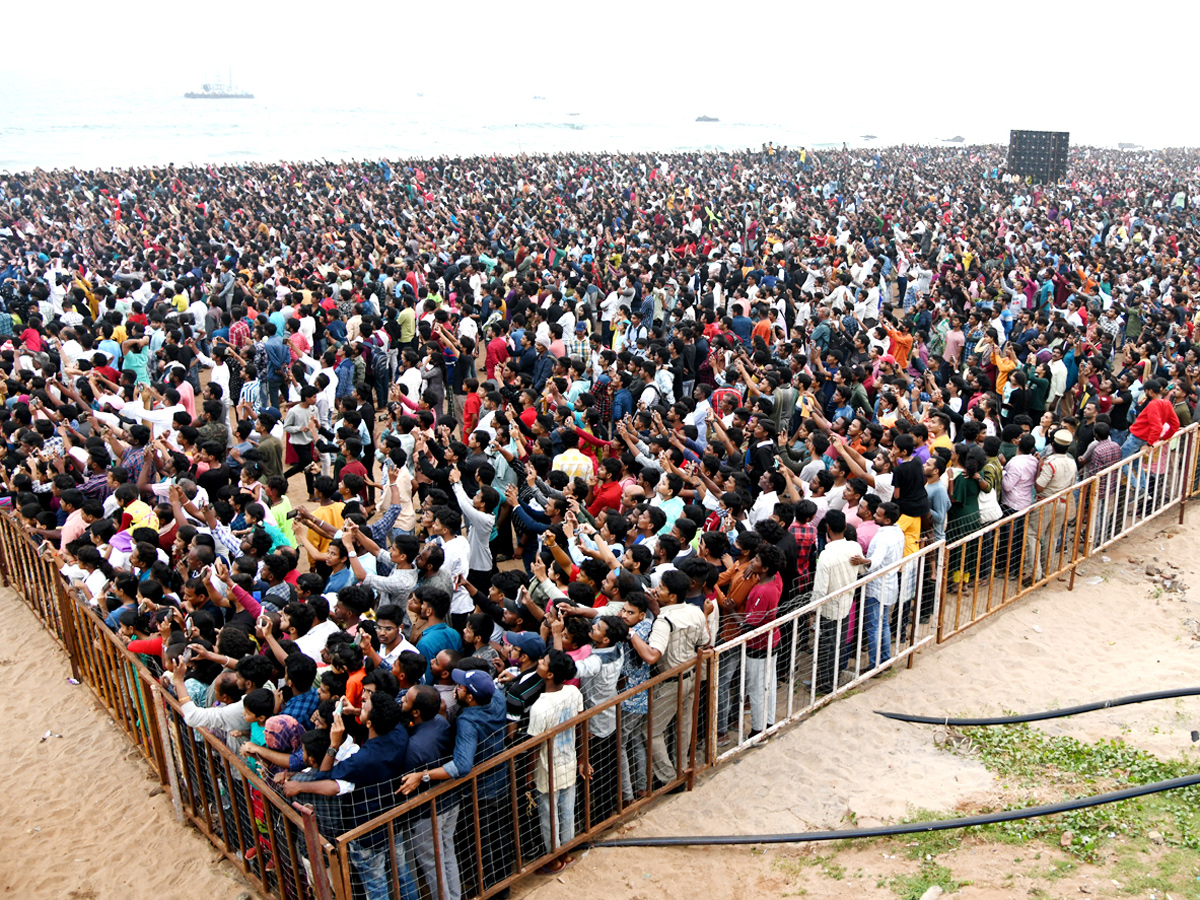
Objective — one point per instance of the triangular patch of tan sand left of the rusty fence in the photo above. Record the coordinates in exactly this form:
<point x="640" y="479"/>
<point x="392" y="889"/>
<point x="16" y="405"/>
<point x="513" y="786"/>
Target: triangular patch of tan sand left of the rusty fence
<point x="82" y="817"/>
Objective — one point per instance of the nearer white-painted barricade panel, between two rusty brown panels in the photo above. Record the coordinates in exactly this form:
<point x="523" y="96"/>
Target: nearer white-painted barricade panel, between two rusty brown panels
<point x="788" y="668"/>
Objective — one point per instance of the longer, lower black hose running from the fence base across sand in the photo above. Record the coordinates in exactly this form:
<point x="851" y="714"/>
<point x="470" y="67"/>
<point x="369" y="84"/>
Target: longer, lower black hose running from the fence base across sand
<point x="941" y="825"/>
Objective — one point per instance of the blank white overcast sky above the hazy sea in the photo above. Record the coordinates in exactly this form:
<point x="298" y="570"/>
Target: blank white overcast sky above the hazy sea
<point x="877" y="67"/>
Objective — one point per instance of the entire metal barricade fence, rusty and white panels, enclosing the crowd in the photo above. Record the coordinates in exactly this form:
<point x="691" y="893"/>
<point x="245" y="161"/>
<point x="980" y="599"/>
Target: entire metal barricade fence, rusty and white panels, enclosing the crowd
<point x="634" y="748"/>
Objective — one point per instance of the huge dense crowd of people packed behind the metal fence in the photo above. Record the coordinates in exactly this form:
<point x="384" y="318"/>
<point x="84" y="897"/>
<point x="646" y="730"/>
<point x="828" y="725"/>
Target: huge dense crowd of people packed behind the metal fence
<point x="562" y="423"/>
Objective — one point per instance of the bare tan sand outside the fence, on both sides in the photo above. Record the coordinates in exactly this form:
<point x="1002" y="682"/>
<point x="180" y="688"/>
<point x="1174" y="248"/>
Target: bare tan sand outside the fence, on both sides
<point x="844" y="765"/>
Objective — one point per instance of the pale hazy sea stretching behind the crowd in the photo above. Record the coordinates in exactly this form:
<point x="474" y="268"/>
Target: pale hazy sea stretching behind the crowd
<point x="86" y="128"/>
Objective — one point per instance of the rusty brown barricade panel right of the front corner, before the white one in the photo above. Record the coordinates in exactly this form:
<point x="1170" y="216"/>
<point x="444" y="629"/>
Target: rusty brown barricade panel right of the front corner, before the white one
<point x="530" y="803"/>
